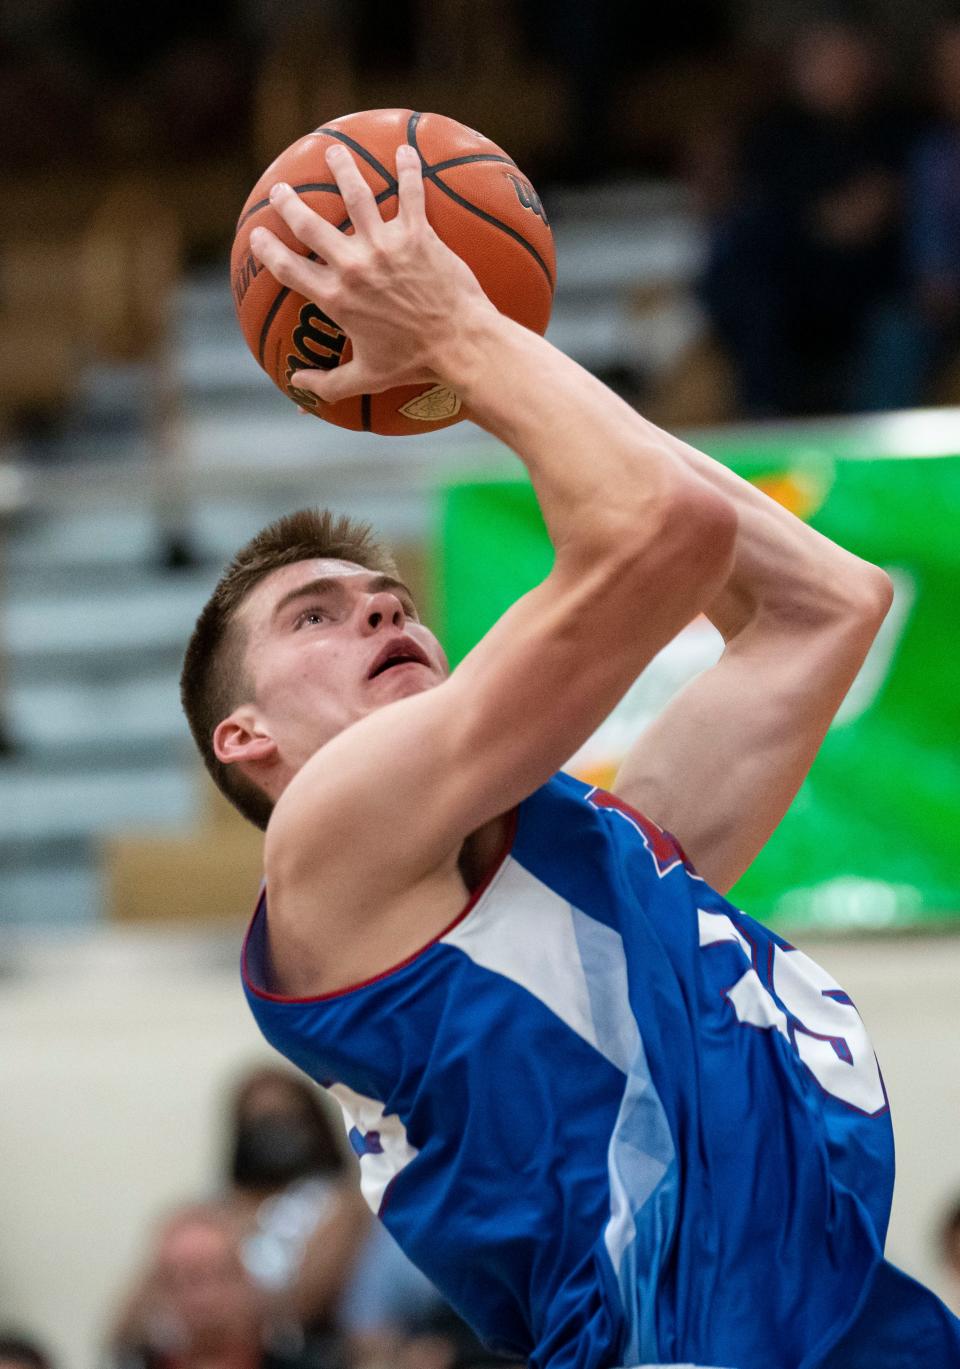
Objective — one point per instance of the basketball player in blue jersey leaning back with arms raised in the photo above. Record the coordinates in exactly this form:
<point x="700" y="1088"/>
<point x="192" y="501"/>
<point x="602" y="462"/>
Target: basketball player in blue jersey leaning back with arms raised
<point x="613" y="1118"/>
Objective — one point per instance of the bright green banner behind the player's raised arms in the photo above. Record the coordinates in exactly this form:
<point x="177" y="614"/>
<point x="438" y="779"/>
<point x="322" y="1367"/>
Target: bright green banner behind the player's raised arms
<point x="873" y="840"/>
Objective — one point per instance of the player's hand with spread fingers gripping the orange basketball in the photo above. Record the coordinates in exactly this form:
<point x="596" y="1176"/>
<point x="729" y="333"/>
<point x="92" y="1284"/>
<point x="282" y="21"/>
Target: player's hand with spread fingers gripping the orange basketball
<point x="399" y="294"/>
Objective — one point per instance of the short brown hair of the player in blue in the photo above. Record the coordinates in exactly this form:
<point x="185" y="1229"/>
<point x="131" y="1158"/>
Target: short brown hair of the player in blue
<point x="214" y="680"/>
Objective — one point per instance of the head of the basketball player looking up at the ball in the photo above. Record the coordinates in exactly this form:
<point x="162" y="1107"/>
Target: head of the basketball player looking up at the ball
<point x="306" y="633"/>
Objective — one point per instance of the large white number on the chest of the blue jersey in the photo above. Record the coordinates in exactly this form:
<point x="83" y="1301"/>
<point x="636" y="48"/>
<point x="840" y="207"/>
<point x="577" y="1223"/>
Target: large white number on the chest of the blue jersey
<point x="810" y="1011"/>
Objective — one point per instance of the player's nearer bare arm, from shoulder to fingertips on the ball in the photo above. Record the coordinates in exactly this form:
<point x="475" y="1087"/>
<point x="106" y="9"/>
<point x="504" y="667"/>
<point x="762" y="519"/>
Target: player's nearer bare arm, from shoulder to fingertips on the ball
<point x="643" y="544"/>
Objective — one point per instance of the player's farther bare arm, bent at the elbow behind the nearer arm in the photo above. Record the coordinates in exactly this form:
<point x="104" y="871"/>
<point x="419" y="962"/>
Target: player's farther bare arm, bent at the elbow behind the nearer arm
<point x="724" y="762"/>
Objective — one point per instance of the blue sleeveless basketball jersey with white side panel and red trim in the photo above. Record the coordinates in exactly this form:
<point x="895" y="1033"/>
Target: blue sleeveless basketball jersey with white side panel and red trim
<point x="614" y="1119"/>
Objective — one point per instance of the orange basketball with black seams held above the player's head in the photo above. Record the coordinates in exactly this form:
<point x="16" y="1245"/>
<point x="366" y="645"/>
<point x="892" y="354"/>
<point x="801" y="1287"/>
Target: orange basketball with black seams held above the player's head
<point x="477" y="201"/>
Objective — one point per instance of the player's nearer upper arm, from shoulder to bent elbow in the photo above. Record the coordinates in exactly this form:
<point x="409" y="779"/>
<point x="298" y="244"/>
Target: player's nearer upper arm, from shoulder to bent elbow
<point x="395" y="796"/>
